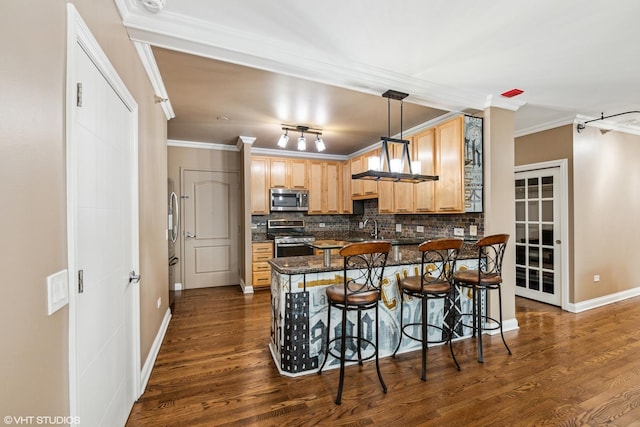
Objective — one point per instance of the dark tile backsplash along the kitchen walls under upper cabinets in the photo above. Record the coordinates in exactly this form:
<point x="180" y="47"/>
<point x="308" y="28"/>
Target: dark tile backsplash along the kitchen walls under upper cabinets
<point x="434" y="226"/>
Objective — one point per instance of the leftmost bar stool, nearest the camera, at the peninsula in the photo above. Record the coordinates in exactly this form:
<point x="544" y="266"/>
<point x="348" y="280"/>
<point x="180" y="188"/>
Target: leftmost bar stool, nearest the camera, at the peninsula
<point x="363" y="270"/>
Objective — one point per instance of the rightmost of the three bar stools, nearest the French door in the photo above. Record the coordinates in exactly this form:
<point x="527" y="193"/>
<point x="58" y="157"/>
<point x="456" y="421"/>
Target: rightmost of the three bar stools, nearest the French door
<point x="487" y="277"/>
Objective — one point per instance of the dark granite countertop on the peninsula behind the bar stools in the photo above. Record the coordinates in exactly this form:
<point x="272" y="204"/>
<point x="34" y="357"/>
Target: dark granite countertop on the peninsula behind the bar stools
<point x="406" y="255"/>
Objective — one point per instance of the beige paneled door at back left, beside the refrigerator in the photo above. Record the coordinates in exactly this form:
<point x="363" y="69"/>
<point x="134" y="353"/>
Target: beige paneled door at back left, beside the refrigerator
<point x="211" y="228"/>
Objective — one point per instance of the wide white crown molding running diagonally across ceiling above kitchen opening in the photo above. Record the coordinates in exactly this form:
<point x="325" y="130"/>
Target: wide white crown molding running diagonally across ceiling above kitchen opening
<point x="197" y="37"/>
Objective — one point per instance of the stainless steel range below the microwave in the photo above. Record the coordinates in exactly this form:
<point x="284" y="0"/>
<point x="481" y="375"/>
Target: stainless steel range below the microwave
<point x="289" y="238"/>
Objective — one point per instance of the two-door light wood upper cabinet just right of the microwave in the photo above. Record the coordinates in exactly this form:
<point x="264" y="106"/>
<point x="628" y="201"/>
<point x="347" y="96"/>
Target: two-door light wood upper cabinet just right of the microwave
<point x="324" y="187"/>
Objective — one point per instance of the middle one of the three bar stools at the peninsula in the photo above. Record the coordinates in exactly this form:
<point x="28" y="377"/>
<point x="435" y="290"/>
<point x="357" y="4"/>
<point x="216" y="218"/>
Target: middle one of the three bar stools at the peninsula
<point x="434" y="282"/>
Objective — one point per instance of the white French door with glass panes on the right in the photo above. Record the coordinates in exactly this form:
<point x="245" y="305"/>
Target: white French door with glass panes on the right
<point x="538" y="235"/>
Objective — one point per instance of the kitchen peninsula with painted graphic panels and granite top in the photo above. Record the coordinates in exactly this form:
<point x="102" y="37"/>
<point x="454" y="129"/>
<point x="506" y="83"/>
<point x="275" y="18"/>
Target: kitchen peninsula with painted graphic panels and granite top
<point x="299" y="307"/>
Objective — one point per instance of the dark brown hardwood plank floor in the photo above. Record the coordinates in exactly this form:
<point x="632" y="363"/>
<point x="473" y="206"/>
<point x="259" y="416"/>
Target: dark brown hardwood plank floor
<point x="215" y="369"/>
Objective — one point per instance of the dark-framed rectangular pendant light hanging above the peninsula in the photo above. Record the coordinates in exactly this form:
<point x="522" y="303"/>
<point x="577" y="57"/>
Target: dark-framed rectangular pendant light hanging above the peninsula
<point x="387" y="169"/>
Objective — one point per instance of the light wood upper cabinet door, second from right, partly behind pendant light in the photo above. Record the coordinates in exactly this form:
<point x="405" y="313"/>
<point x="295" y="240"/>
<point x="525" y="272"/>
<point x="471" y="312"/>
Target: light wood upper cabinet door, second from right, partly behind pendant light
<point x="424" y="145"/>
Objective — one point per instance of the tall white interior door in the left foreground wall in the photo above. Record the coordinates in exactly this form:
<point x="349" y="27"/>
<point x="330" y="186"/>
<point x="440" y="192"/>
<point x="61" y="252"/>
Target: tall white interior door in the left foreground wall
<point x="104" y="351"/>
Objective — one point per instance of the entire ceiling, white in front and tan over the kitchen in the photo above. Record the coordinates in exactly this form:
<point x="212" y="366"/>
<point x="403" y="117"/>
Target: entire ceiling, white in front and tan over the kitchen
<point x="243" y="69"/>
